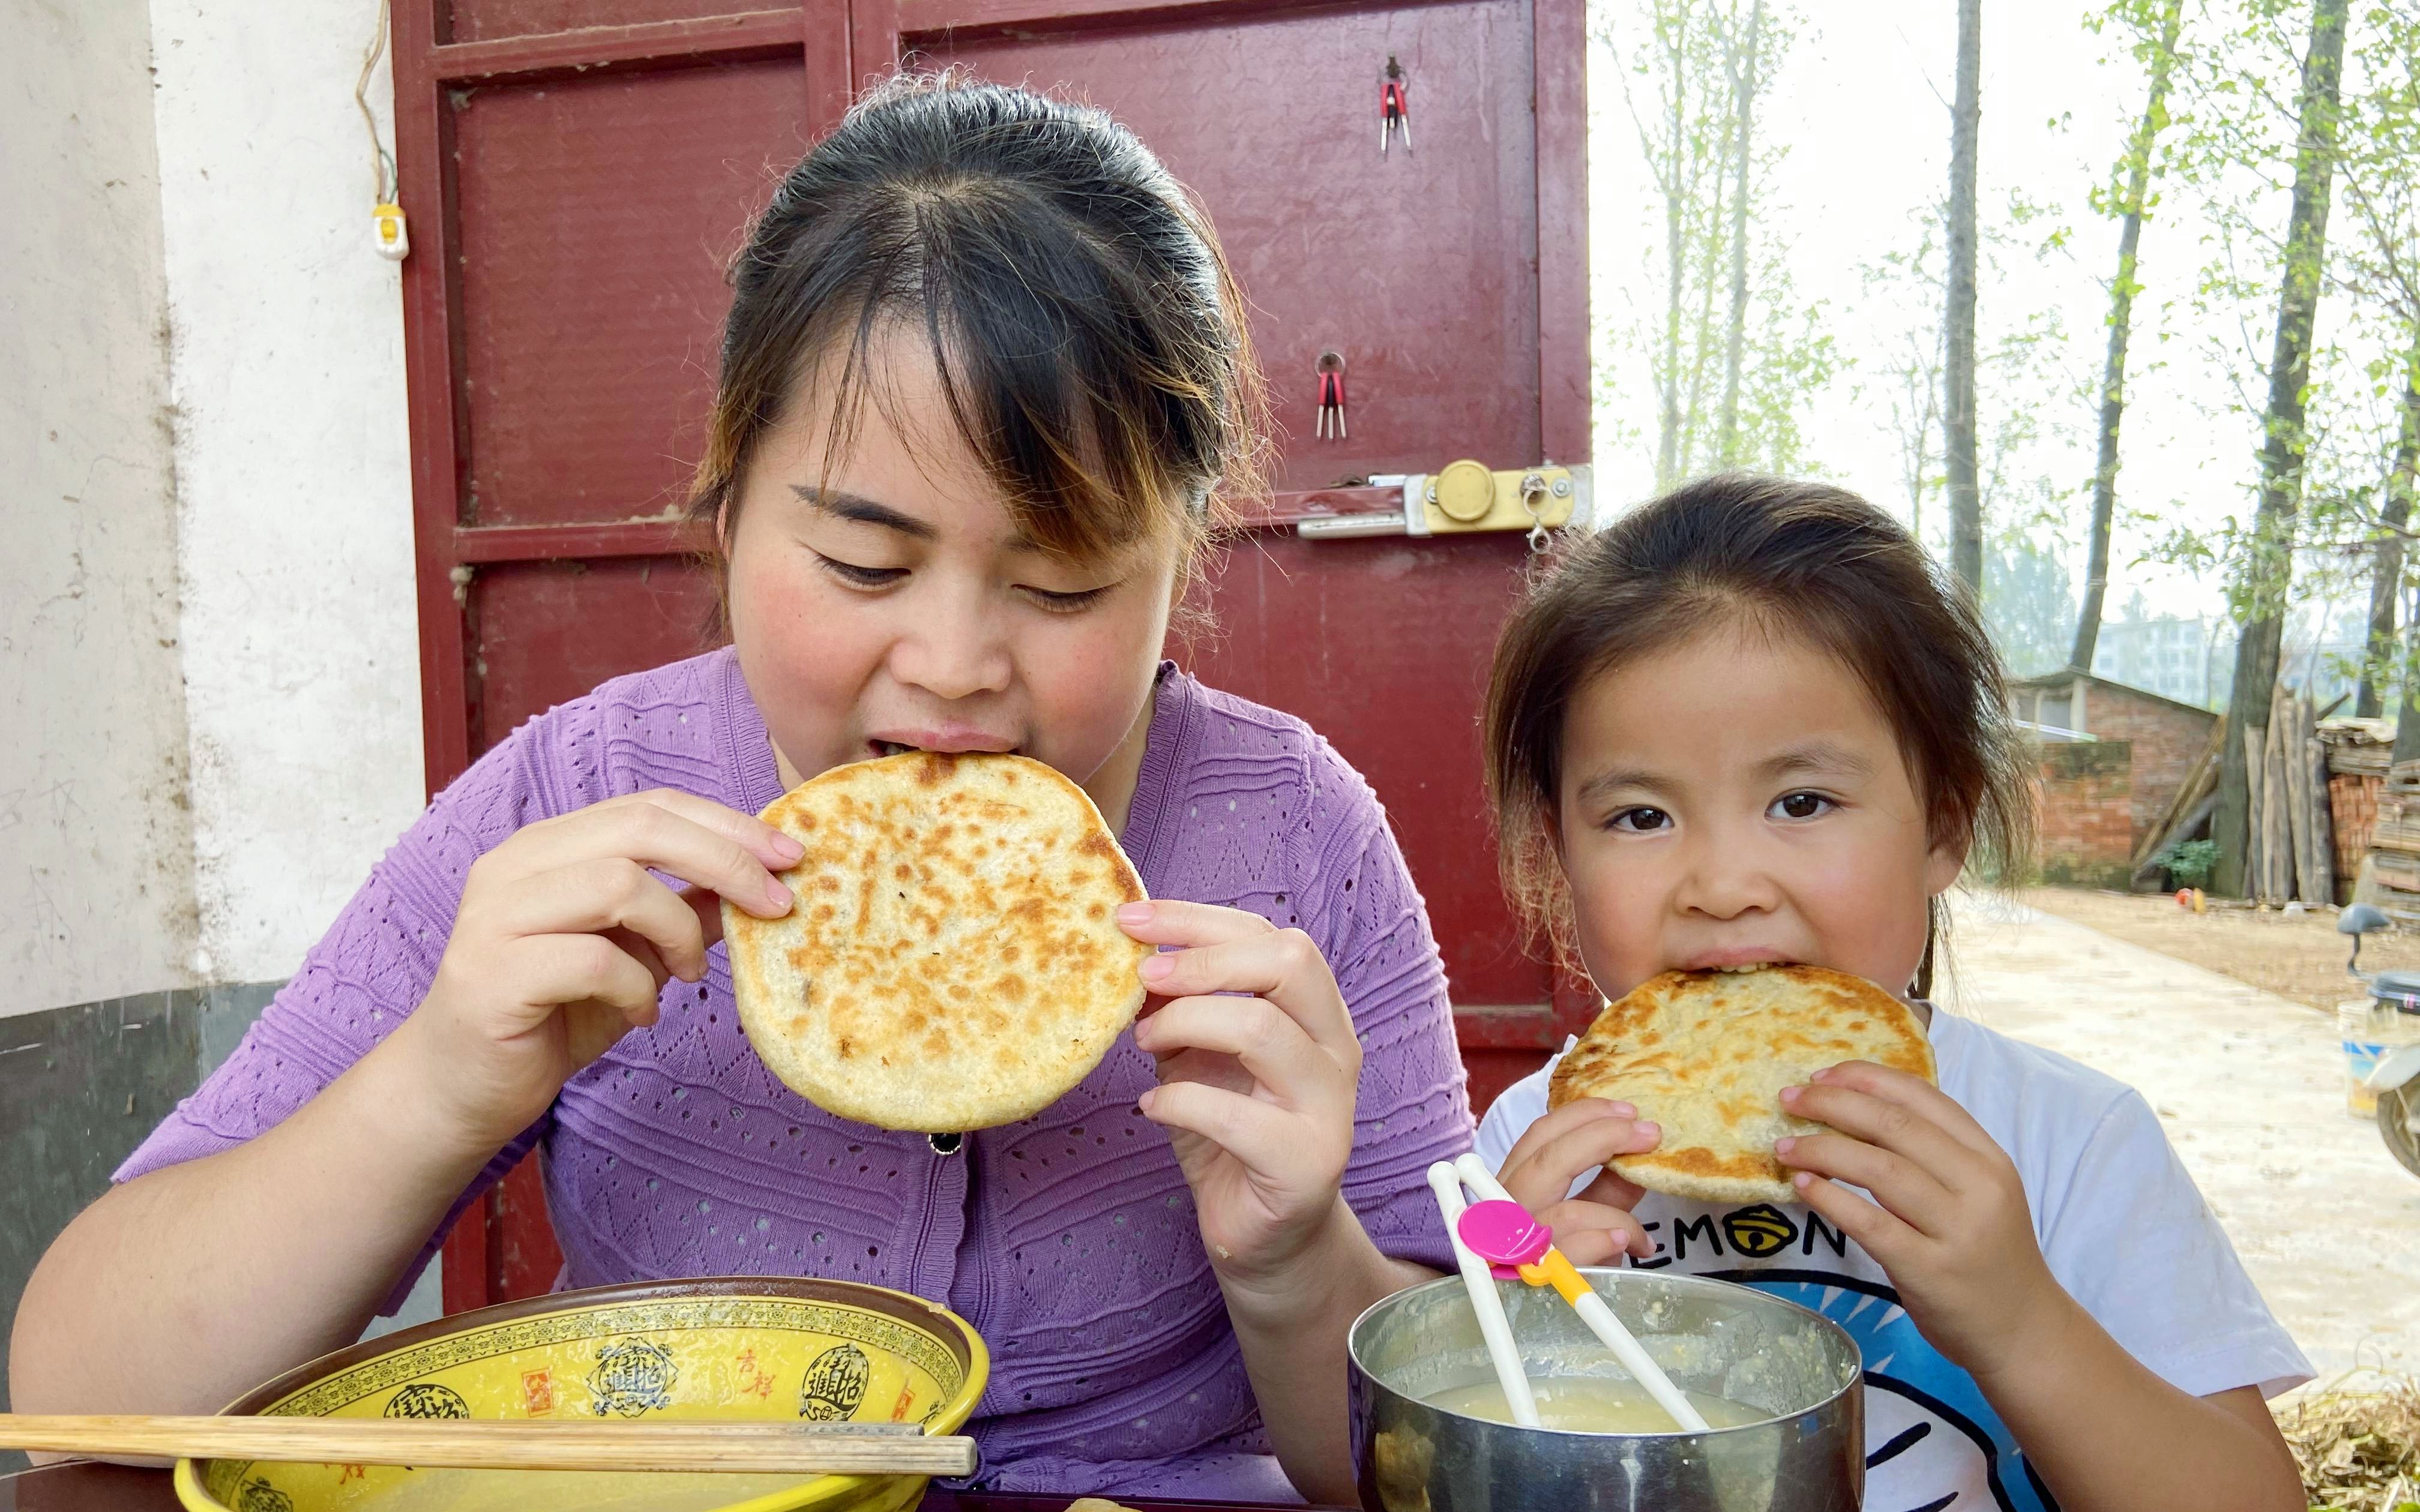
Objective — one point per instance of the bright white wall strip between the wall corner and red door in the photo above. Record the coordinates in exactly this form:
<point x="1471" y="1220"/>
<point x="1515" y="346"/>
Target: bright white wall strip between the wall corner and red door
<point x="294" y="485"/>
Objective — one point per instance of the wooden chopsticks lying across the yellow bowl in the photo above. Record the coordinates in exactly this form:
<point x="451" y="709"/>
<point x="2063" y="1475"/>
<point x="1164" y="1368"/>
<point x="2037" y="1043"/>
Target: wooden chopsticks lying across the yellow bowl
<point x="505" y="1445"/>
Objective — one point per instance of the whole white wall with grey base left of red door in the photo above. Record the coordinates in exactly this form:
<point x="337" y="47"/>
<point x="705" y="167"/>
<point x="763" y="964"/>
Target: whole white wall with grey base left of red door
<point x="207" y="623"/>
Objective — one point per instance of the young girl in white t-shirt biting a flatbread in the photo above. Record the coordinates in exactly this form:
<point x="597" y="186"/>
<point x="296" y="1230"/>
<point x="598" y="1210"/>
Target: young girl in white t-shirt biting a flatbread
<point x="1751" y="725"/>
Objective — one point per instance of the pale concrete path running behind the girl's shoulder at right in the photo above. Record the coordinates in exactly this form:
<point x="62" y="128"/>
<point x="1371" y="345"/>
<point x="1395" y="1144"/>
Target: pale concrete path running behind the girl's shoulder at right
<point x="2254" y="1095"/>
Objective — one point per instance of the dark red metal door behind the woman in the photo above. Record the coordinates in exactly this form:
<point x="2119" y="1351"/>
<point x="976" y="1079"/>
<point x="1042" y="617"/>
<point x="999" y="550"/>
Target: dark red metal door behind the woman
<point x="580" y="171"/>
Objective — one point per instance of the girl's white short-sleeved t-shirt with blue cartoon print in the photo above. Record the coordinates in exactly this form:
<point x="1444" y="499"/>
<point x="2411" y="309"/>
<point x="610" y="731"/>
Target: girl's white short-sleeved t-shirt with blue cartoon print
<point x="2119" y="1223"/>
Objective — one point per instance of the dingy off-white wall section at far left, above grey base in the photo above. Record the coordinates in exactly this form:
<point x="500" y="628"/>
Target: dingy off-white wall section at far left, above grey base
<point x="96" y="838"/>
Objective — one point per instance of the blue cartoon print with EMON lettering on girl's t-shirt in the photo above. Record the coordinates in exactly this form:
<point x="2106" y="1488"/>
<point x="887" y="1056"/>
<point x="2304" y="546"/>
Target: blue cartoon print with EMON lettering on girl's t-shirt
<point x="1923" y="1414"/>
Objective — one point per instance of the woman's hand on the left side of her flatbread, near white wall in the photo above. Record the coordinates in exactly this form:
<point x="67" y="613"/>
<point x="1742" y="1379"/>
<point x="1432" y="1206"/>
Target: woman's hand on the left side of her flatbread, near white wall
<point x="565" y="940"/>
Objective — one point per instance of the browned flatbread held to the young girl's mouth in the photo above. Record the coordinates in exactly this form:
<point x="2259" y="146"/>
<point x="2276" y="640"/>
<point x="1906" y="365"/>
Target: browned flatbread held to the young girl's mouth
<point x="1705" y="1054"/>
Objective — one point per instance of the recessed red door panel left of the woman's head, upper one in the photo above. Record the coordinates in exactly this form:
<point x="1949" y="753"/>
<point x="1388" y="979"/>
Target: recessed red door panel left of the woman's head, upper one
<point x="589" y="321"/>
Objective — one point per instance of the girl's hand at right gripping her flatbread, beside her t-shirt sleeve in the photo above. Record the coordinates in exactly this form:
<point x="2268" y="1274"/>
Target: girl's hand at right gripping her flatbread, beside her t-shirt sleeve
<point x="1947" y="1220"/>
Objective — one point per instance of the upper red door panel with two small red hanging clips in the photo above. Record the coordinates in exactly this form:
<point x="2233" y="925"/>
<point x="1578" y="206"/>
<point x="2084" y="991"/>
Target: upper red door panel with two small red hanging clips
<point x="1419" y="270"/>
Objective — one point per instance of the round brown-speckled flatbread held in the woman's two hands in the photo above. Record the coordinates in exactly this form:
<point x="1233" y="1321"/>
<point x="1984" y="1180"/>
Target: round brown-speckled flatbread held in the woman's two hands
<point x="955" y="957"/>
